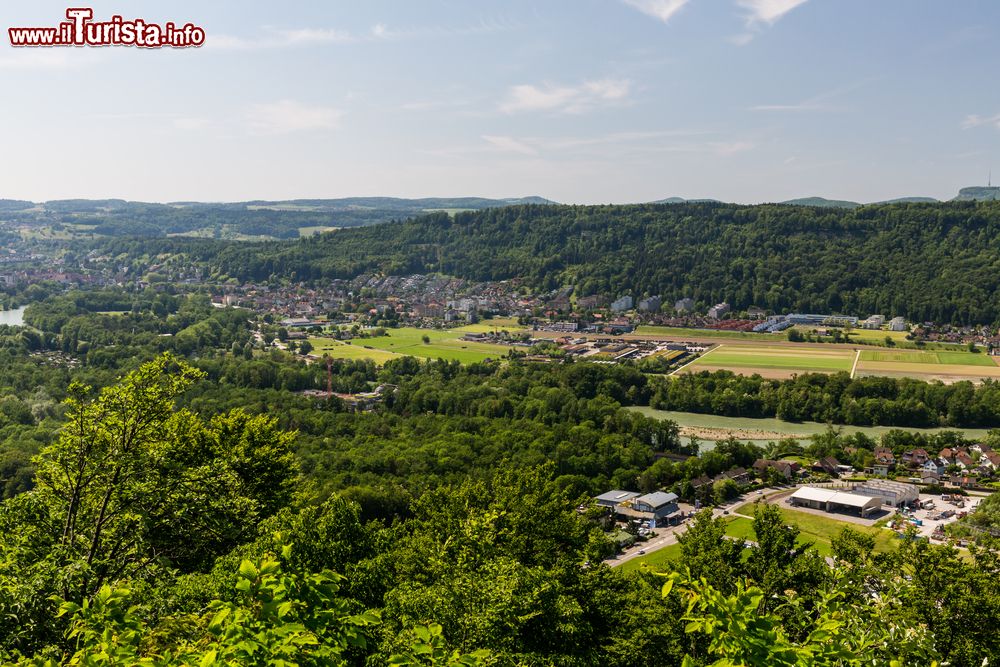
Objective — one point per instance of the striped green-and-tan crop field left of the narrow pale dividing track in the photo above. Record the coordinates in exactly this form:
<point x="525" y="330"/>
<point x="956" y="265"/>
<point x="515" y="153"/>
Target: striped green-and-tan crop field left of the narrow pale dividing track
<point x="774" y="361"/>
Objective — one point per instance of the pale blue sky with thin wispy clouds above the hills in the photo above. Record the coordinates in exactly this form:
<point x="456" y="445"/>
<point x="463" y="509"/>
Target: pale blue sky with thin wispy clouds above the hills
<point x="579" y="101"/>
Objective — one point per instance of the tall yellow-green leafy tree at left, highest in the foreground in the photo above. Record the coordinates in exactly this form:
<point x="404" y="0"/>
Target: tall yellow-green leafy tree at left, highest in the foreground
<point x="132" y="489"/>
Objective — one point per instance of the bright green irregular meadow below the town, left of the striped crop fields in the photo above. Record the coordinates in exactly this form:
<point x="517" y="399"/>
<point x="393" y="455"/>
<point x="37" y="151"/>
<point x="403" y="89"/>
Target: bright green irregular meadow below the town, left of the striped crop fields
<point x="408" y="341"/>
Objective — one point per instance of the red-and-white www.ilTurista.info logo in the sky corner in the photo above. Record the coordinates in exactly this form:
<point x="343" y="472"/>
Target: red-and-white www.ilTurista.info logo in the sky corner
<point x="82" y="30"/>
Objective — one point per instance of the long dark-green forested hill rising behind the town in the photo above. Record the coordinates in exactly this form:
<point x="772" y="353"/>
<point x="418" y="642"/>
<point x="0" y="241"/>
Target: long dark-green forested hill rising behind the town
<point x="924" y="261"/>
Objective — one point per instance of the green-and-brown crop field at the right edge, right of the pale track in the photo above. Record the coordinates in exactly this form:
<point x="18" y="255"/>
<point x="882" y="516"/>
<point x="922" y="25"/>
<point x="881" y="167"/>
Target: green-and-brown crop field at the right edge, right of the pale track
<point x="928" y="365"/>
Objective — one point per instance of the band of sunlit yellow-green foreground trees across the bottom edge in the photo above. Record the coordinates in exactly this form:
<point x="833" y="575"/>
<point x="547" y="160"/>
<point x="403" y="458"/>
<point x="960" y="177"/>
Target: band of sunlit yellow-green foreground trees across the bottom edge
<point x="129" y="559"/>
